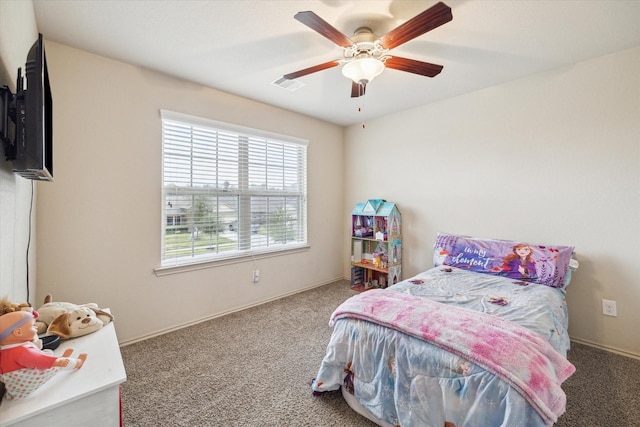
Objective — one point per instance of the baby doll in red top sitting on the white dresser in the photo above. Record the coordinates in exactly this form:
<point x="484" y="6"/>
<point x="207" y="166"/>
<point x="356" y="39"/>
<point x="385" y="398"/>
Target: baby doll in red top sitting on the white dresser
<point x="23" y="366"/>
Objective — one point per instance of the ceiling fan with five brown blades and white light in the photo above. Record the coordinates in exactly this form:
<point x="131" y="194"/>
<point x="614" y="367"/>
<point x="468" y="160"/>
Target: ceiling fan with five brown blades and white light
<point x="366" y="55"/>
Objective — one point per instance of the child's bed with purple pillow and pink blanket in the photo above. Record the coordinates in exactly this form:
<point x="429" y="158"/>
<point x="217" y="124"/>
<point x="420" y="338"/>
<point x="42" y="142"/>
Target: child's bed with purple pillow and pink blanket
<point x="478" y="340"/>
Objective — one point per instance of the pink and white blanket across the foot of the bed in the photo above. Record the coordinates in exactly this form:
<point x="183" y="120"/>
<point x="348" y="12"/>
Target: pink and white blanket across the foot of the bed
<point x="517" y="355"/>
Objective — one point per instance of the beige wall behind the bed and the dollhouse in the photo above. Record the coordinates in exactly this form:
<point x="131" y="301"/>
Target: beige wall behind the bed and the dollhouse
<point x="553" y="158"/>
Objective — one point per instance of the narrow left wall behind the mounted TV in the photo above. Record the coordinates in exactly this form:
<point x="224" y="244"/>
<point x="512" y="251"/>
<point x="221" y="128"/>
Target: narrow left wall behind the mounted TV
<point x="17" y="33"/>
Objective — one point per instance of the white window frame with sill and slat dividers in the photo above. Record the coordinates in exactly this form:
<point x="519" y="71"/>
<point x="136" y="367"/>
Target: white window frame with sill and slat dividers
<point x="245" y="249"/>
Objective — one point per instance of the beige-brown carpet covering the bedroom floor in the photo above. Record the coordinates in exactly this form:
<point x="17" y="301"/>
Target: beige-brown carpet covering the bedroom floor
<point x="254" y="368"/>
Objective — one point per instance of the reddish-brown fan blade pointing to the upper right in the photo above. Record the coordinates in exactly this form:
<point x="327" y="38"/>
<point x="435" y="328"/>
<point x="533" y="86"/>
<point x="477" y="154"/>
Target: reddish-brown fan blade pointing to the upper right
<point x="431" y="18"/>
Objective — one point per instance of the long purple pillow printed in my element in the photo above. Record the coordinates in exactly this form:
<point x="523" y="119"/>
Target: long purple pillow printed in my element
<point x="546" y="265"/>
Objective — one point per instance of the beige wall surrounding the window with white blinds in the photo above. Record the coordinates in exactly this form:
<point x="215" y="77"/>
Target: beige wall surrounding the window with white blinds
<point x="100" y="221"/>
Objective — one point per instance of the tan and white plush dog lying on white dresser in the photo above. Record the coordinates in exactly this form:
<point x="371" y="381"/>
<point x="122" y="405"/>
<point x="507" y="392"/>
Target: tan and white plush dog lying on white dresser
<point x="68" y="320"/>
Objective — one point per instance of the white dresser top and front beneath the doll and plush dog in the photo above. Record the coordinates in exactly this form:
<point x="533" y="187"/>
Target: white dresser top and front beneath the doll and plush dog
<point x="89" y="396"/>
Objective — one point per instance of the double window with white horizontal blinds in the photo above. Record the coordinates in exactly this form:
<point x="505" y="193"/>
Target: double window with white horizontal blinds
<point x="229" y="191"/>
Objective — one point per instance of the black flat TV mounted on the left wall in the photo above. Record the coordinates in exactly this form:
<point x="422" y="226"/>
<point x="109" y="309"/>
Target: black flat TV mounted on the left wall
<point x="34" y="124"/>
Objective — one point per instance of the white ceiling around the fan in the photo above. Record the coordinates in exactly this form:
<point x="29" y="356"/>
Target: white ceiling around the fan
<point x="241" y="47"/>
